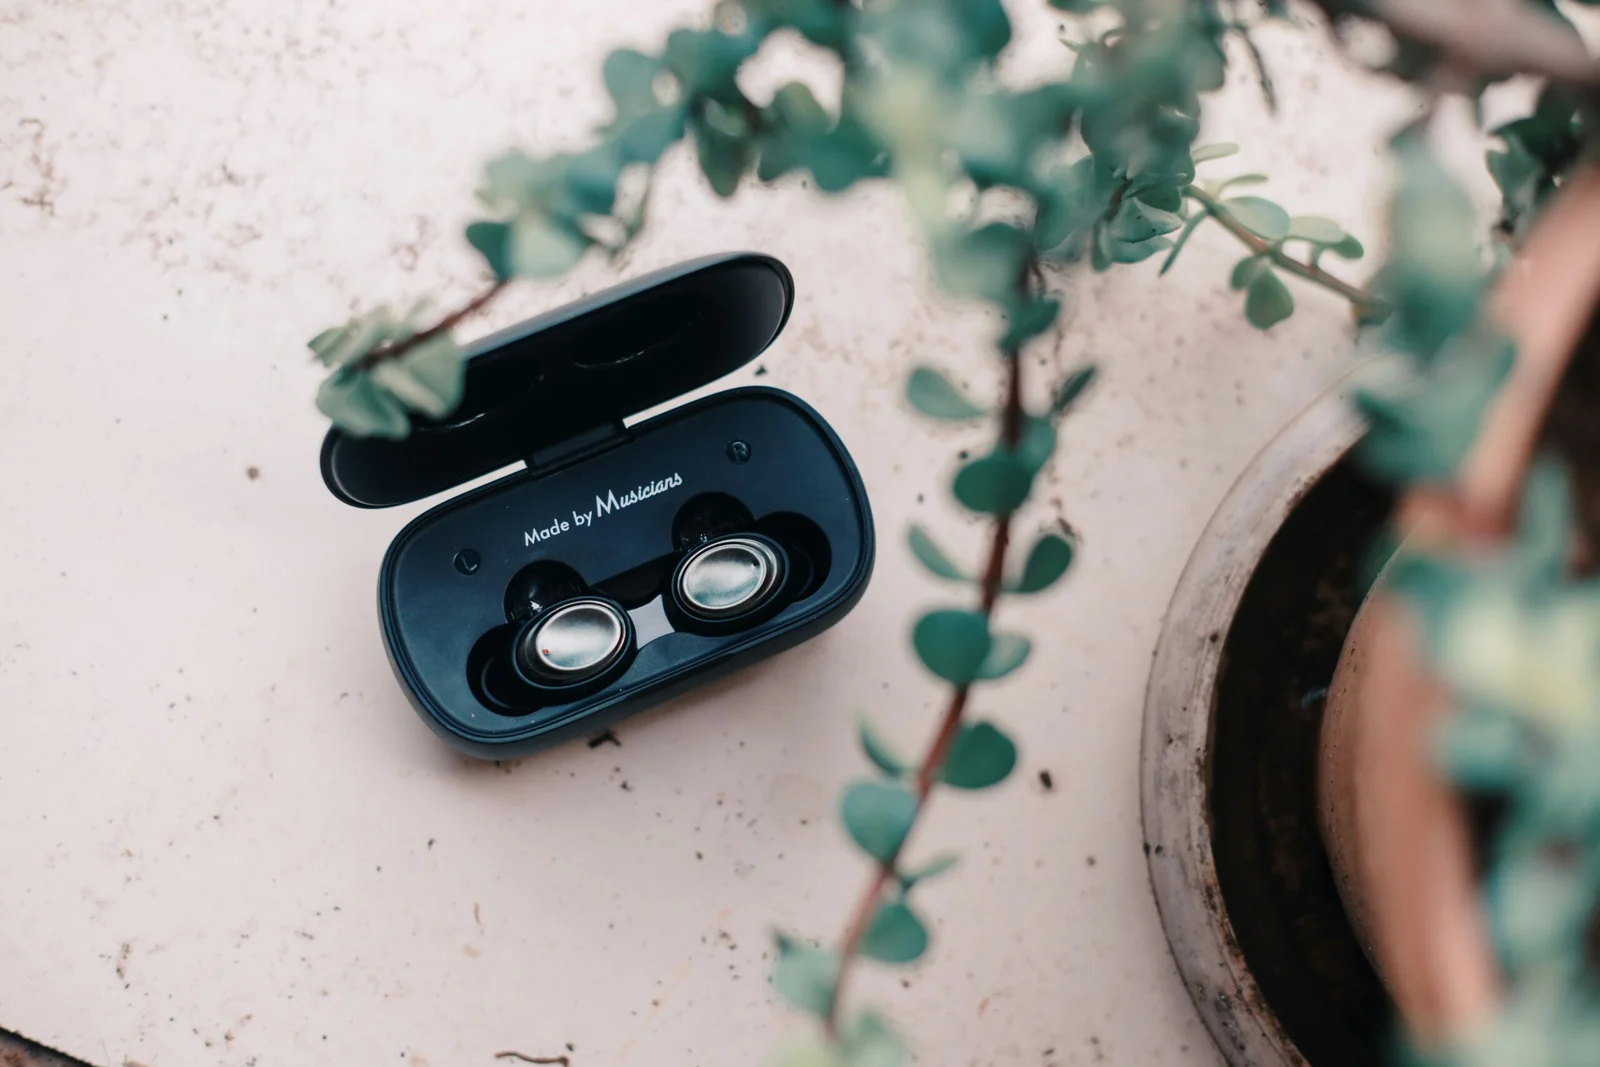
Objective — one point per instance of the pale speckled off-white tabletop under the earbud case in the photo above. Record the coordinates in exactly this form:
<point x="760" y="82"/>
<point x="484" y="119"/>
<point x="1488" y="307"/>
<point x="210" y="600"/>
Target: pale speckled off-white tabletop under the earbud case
<point x="230" y="842"/>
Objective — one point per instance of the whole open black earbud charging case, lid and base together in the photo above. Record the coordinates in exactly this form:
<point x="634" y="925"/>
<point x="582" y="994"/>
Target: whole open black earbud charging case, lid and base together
<point x="612" y="510"/>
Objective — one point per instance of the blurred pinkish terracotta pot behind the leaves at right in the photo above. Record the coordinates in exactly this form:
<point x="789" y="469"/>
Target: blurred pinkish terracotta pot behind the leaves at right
<point x="1398" y="836"/>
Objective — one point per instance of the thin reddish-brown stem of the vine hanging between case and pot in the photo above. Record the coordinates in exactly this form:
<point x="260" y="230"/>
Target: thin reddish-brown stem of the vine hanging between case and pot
<point x="950" y="722"/>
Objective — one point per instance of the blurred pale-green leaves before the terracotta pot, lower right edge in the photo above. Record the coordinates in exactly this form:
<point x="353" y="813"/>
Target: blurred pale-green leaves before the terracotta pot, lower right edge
<point x="1514" y="639"/>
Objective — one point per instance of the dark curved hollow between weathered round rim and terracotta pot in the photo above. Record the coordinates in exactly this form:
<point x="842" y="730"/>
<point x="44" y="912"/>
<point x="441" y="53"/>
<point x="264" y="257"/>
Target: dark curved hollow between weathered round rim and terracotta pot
<point x="1273" y="871"/>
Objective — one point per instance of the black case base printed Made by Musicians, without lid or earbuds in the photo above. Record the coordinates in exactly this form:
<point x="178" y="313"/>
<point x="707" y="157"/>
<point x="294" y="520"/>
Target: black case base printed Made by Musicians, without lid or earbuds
<point x="798" y="484"/>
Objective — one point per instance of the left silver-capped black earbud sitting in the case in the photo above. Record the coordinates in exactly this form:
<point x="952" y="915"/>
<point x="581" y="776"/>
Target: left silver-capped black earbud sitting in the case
<point x="567" y="637"/>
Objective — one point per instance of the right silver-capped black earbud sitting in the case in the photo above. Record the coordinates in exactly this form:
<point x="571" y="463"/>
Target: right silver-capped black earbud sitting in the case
<point x="729" y="583"/>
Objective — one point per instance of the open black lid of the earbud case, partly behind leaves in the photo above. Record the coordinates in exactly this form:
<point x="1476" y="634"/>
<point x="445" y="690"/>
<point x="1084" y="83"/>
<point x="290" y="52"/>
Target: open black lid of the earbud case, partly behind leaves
<point x="572" y="372"/>
